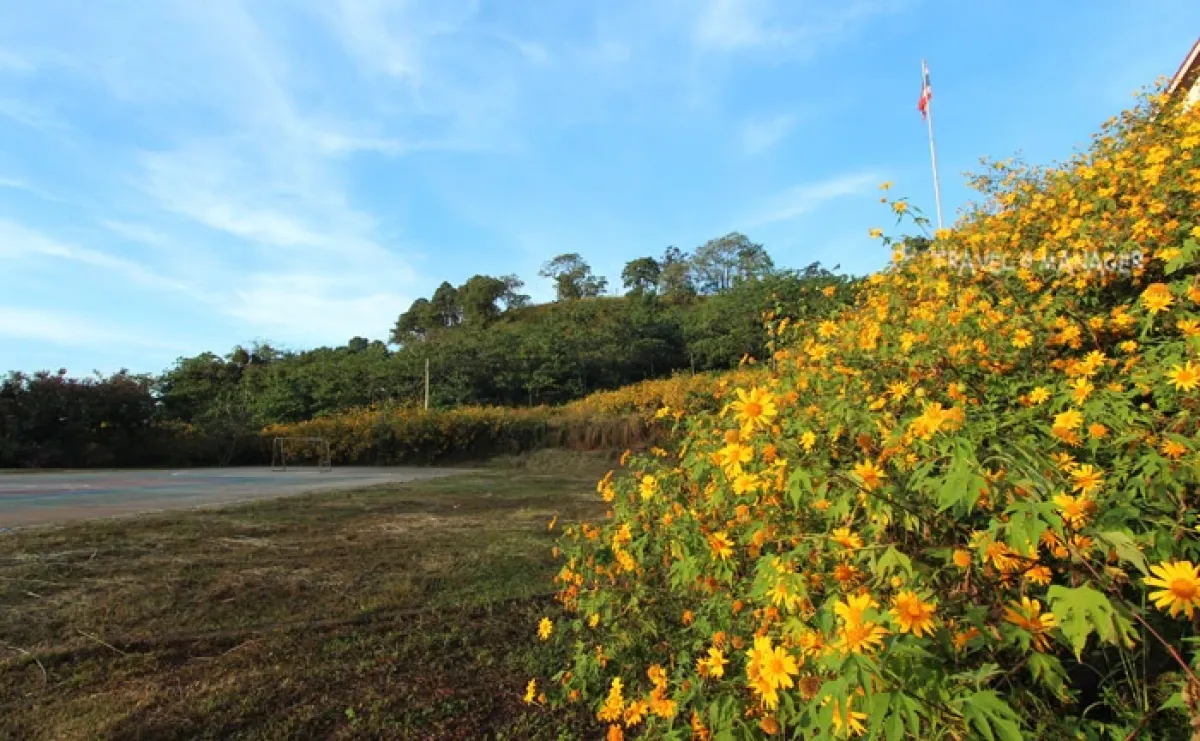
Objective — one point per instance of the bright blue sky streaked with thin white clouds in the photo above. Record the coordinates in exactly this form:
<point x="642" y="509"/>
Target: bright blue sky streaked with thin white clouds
<point x="179" y="177"/>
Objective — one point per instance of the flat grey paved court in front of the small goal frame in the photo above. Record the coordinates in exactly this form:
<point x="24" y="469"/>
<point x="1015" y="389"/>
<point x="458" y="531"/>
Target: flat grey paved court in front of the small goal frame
<point x="34" y="499"/>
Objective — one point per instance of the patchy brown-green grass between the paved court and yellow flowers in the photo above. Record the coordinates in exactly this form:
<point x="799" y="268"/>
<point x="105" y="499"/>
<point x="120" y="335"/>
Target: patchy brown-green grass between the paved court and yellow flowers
<point x="398" y="612"/>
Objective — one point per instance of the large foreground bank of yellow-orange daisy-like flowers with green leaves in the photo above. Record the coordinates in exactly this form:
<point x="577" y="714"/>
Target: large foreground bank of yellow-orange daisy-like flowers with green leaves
<point x="963" y="509"/>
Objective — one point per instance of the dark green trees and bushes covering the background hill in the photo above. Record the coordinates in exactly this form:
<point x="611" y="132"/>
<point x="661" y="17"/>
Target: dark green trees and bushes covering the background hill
<point x="485" y="344"/>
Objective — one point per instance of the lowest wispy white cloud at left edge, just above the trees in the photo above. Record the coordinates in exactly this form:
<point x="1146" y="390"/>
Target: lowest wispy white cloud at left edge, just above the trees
<point x="74" y="330"/>
